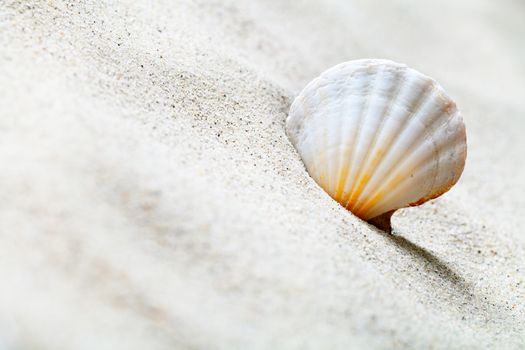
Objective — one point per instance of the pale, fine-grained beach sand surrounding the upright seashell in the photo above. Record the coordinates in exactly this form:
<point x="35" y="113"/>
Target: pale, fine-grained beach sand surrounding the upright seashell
<point x="150" y="199"/>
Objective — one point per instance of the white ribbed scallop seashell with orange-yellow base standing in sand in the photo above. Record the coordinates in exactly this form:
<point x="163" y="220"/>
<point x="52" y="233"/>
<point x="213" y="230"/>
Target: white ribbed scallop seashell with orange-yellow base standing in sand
<point x="378" y="136"/>
